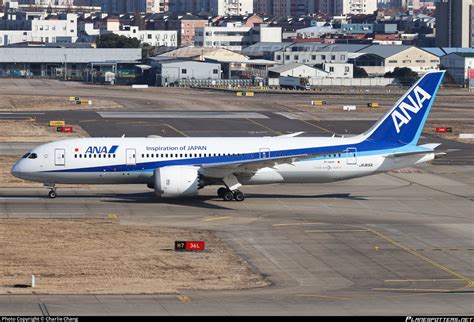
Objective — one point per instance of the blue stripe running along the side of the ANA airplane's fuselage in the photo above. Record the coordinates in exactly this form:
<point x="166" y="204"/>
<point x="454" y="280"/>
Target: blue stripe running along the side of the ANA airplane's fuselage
<point x="363" y="148"/>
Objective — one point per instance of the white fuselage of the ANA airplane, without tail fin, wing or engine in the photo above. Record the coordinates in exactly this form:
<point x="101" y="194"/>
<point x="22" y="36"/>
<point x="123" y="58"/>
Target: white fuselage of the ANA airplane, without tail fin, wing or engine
<point x="133" y="160"/>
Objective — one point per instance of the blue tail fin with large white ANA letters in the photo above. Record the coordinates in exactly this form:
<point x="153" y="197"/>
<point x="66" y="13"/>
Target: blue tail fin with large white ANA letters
<point x="404" y="122"/>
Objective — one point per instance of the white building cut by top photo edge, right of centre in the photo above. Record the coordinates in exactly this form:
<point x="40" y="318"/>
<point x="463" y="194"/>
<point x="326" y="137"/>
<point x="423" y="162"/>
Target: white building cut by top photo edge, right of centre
<point x="347" y="7"/>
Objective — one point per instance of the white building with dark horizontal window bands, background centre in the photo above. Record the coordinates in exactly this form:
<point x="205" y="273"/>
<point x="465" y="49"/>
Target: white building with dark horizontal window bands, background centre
<point x="234" y="36"/>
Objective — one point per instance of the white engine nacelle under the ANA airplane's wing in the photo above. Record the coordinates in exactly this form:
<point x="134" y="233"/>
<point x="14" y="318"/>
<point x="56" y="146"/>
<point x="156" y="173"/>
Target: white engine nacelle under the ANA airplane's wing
<point x="177" y="181"/>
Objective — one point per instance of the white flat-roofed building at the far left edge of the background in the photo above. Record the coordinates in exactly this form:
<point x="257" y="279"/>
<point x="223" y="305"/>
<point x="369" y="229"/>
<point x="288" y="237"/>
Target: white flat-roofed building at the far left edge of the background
<point x="39" y="30"/>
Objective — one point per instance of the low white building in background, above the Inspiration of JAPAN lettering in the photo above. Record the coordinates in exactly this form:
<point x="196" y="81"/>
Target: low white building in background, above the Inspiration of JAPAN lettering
<point x="167" y="38"/>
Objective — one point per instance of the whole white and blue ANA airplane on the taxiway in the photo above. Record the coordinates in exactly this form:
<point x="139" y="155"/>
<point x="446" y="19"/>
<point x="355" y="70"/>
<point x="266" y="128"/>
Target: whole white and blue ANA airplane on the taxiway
<point x="178" y="167"/>
